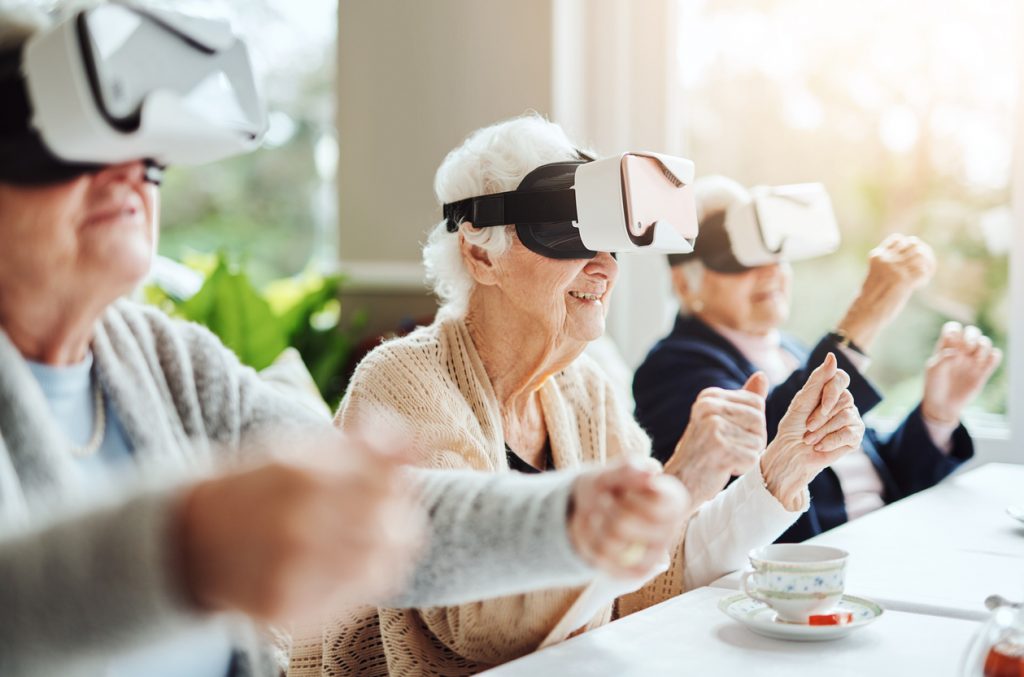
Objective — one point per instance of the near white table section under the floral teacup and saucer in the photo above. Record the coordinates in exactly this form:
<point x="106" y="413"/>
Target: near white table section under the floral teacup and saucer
<point x="689" y="636"/>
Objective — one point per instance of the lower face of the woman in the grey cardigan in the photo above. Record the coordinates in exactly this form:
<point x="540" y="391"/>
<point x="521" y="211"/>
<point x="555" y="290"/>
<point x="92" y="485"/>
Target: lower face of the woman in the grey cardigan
<point x="92" y="236"/>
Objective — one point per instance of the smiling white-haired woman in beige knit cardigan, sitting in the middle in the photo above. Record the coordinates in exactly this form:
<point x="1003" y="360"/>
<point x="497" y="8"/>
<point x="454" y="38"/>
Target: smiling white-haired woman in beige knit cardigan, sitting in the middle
<point x="498" y="384"/>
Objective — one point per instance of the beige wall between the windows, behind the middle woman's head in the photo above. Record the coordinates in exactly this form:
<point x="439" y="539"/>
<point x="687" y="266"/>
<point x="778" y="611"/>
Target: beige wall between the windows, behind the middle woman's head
<point x="415" y="77"/>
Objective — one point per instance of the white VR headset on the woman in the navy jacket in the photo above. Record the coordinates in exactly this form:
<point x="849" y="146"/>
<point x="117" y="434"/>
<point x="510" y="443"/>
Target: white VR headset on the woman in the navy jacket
<point x="778" y="224"/>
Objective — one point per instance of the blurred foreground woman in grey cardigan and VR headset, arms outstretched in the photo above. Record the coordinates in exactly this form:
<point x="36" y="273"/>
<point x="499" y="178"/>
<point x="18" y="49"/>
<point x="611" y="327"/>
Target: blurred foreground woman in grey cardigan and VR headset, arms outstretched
<point x="94" y="388"/>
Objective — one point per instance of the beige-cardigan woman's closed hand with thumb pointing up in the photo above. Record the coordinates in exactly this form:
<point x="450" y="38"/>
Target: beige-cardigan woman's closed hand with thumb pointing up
<point x="727" y="435"/>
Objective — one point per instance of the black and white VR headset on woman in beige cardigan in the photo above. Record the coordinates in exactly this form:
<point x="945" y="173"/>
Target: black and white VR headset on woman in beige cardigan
<point x="565" y="210"/>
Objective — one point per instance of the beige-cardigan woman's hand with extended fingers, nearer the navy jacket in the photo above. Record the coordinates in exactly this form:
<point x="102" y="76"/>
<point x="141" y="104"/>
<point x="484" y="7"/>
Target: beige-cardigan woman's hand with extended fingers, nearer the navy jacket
<point x="822" y="426"/>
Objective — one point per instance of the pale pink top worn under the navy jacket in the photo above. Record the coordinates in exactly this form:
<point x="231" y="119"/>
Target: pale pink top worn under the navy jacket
<point x="861" y="482"/>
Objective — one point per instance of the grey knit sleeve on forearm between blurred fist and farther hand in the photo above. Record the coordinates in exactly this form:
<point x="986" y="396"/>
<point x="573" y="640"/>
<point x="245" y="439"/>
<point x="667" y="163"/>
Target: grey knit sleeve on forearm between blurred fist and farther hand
<point x="493" y="536"/>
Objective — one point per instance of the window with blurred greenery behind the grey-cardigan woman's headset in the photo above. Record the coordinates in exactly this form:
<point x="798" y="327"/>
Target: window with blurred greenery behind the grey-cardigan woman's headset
<point x="274" y="208"/>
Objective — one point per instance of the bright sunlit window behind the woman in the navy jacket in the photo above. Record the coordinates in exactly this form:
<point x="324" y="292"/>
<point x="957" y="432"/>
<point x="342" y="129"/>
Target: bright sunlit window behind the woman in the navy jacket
<point x="907" y="112"/>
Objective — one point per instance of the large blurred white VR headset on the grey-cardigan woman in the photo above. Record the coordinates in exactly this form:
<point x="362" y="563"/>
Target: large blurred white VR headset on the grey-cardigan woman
<point x="117" y="83"/>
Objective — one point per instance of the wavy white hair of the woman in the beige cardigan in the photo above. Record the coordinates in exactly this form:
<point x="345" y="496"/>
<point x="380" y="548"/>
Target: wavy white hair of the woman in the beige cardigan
<point x="492" y="160"/>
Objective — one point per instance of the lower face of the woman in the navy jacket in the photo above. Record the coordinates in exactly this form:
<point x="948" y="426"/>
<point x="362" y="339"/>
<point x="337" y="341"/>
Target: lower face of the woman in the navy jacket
<point x="755" y="302"/>
